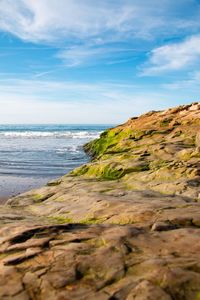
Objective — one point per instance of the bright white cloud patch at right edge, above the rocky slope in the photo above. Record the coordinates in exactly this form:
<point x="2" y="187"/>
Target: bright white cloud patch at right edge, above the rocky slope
<point x="174" y="57"/>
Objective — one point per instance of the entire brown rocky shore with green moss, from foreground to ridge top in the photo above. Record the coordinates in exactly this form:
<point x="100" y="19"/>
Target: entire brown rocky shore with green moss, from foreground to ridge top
<point x="124" y="226"/>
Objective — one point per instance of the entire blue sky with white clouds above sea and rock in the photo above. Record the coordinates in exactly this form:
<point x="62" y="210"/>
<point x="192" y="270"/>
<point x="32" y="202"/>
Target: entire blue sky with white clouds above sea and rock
<point x="91" y="61"/>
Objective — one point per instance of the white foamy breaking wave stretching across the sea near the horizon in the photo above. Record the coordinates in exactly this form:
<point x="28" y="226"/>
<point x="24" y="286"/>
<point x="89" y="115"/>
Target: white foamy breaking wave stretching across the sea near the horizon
<point x="51" y="134"/>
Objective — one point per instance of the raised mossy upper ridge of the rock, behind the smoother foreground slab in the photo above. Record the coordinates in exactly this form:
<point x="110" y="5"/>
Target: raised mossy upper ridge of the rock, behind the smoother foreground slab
<point x="157" y="151"/>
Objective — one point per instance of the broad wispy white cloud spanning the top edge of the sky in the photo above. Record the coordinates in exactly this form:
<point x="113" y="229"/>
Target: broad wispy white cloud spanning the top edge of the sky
<point x="58" y="20"/>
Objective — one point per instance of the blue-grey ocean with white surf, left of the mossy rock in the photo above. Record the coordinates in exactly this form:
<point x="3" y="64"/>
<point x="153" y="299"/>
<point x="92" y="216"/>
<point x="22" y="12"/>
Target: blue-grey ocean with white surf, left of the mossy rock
<point x="31" y="155"/>
